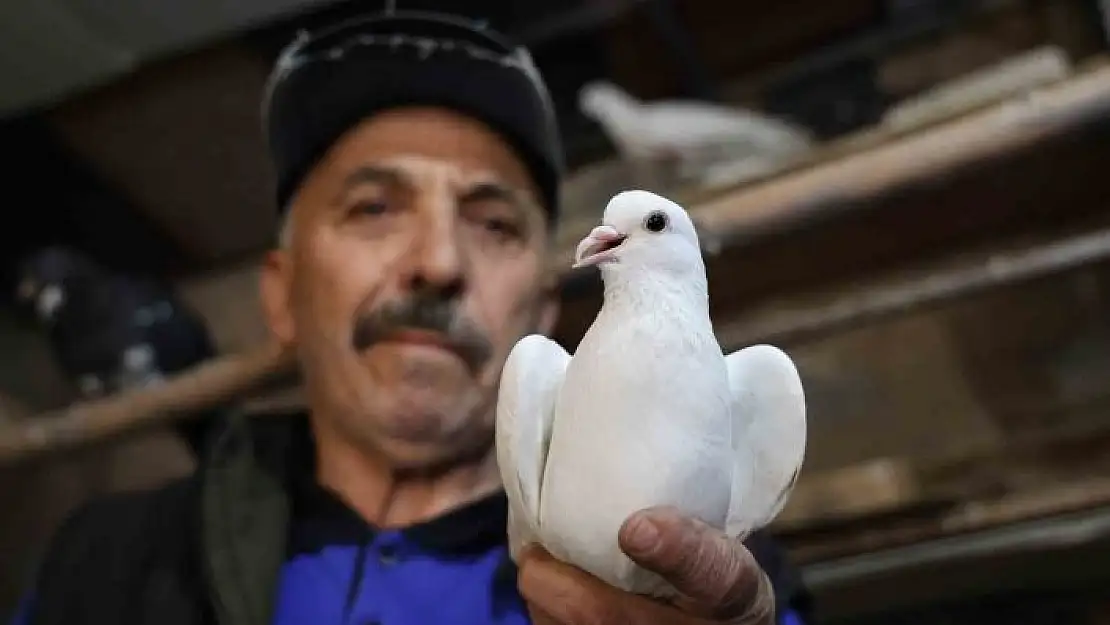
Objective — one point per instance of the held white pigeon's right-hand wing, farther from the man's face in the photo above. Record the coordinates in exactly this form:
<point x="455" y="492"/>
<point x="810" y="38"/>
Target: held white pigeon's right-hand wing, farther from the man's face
<point x="769" y="435"/>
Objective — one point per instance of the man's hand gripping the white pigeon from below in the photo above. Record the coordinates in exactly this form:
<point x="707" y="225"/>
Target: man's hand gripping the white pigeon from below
<point x="720" y="580"/>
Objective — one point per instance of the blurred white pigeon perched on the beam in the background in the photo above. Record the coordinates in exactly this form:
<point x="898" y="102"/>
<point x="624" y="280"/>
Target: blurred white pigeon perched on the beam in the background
<point x="707" y="143"/>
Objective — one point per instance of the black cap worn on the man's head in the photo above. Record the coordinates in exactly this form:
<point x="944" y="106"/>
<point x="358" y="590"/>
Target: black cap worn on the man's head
<point x="326" y="84"/>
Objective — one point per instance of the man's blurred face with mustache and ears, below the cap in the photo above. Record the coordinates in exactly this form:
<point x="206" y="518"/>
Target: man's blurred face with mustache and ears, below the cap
<point x="413" y="263"/>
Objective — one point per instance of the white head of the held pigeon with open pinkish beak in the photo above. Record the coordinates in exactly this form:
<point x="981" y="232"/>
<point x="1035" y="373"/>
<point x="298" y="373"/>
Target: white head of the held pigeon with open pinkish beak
<point x="642" y="230"/>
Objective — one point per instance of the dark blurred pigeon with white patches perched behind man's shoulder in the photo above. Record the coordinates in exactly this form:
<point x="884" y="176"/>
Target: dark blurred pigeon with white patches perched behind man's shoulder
<point x="112" y="332"/>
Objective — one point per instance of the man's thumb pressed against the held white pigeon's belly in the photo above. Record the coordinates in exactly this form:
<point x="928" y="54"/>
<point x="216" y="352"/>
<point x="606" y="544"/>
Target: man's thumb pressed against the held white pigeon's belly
<point x="701" y="562"/>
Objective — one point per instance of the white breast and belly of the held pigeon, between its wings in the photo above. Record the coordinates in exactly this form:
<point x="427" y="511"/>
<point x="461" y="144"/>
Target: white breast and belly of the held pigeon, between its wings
<point x="643" y="420"/>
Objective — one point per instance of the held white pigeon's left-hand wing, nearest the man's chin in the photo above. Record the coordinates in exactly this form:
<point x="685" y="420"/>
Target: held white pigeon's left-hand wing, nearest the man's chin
<point x="530" y="386"/>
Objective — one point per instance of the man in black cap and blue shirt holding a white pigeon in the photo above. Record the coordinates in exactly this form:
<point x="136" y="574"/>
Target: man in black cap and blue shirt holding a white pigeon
<point x="419" y="167"/>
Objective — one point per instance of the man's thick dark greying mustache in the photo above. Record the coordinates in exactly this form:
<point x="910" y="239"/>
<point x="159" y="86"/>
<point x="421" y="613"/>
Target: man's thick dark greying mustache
<point x="429" y="312"/>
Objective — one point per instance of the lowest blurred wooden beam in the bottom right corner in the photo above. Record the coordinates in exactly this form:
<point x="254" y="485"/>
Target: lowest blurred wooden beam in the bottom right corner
<point x="1056" y="552"/>
